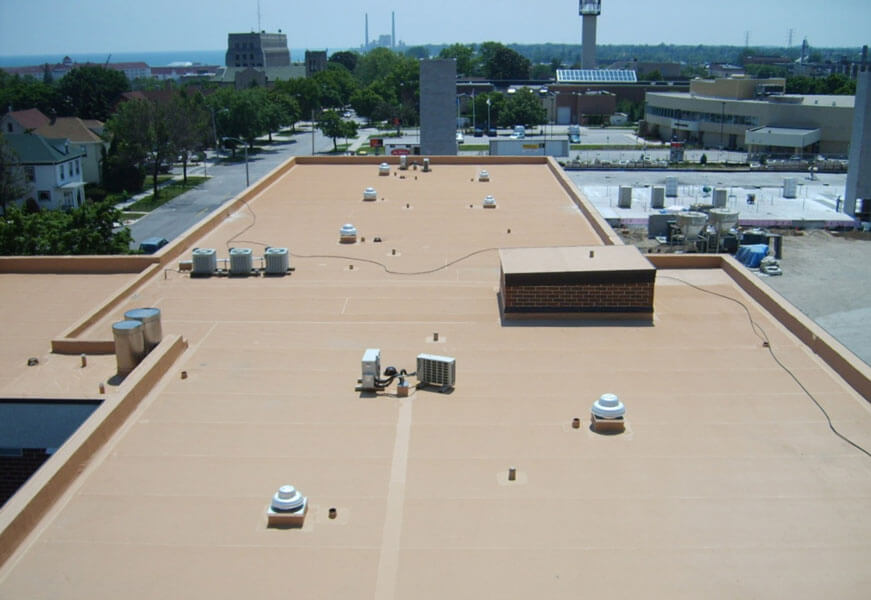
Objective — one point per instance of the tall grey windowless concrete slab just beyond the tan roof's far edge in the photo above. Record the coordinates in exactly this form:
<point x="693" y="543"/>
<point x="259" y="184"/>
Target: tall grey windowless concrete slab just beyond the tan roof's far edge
<point x="438" y="126"/>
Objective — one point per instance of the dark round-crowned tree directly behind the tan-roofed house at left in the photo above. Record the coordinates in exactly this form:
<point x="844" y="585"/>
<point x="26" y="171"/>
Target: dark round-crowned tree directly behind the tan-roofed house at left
<point x="91" y="92"/>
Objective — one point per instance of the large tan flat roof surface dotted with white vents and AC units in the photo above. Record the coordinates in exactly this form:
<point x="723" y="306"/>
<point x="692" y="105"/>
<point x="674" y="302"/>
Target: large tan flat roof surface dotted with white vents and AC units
<point x="726" y="483"/>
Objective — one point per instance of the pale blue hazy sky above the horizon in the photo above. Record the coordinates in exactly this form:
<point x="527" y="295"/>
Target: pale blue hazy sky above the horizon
<point x="80" y="26"/>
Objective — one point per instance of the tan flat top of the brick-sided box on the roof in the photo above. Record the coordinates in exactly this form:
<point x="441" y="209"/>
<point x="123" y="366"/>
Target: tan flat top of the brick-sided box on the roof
<point x="573" y="259"/>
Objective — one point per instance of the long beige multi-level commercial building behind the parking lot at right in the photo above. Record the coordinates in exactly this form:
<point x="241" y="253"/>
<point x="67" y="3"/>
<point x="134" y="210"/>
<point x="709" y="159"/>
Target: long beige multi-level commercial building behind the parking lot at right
<point x="754" y="115"/>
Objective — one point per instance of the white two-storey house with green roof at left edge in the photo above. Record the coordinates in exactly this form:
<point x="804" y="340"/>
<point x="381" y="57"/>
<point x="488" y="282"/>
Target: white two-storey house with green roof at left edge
<point x="52" y="170"/>
